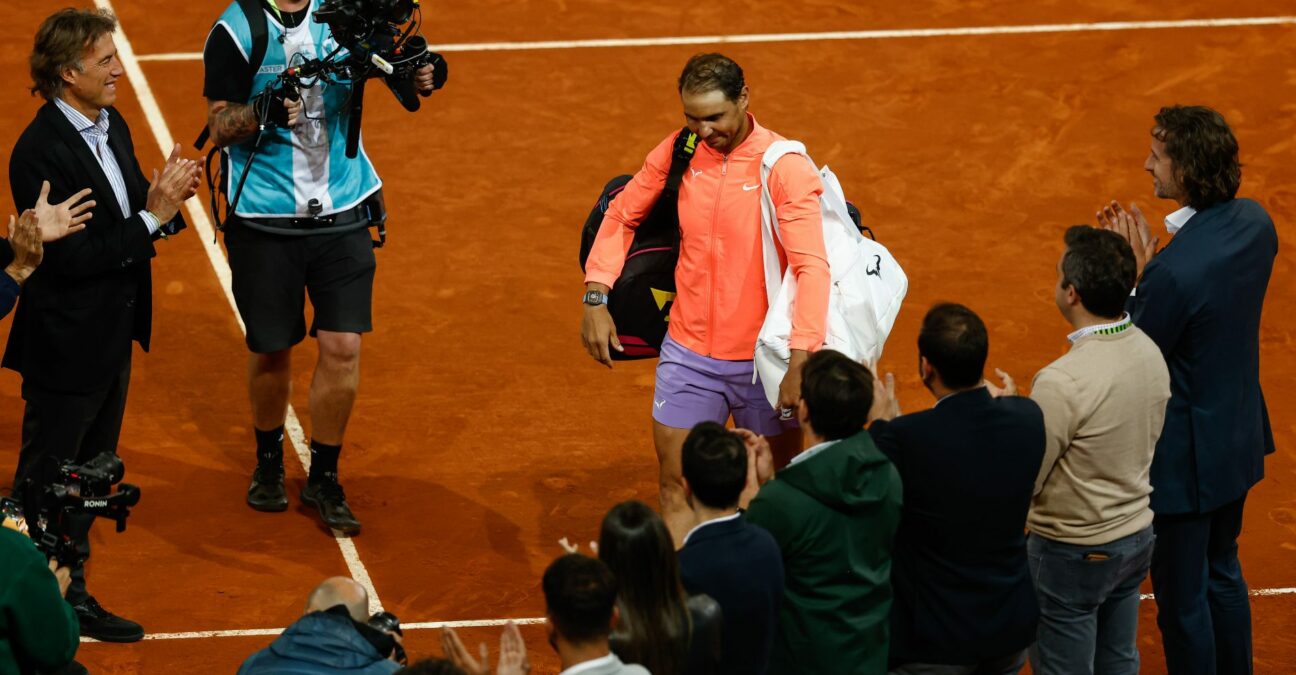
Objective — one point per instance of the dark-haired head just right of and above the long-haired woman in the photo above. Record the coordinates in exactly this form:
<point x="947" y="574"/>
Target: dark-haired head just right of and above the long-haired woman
<point x="715" y="462"/>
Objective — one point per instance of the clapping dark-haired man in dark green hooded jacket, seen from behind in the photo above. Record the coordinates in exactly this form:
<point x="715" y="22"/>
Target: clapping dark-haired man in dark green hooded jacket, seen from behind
<point x="834" y="512"/>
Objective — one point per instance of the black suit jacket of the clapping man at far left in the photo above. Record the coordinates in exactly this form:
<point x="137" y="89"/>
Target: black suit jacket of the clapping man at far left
<point x="93" y="293"/>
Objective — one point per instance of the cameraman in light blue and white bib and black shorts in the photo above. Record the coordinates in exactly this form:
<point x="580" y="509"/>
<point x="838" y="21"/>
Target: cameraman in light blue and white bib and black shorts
<point x="300" y="226"/>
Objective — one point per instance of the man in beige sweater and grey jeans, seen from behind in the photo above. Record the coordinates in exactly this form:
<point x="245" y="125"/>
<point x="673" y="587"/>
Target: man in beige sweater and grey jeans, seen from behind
<point x="1091" y="521"/>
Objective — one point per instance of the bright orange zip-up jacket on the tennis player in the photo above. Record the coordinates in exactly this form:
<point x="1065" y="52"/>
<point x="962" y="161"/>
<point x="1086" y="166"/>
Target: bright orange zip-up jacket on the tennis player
<point x="721" y="301"/>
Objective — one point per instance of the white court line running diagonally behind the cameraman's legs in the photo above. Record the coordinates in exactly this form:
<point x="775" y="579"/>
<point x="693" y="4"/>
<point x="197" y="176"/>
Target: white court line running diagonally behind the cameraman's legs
<point x="205" y="233"/>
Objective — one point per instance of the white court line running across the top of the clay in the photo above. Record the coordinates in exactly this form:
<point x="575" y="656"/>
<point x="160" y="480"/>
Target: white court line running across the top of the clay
<point x="833" y="36"/>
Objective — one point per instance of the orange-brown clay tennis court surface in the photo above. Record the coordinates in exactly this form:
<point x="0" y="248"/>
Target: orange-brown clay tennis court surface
<point x="483" y="433"/>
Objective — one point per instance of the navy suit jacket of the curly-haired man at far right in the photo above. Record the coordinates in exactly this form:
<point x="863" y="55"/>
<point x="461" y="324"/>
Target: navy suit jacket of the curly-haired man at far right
<point x="1199" y="300"/>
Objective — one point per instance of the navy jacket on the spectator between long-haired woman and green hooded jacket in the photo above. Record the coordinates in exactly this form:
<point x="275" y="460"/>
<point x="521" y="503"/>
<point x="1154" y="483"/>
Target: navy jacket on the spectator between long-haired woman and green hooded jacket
<point x="741" y="567"/>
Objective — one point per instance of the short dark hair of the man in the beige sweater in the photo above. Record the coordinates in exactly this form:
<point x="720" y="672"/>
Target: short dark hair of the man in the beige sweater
<point x="1100" y="265"/>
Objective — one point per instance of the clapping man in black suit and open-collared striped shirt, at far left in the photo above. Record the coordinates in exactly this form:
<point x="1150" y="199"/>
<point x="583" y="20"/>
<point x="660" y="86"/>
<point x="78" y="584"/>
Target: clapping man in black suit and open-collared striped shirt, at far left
<point x="93" y="295"/>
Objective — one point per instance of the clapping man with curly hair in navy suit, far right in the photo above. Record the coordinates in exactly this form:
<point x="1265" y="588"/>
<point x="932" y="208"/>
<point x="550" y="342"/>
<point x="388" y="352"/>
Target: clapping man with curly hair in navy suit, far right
<point x="1201" y="301"/>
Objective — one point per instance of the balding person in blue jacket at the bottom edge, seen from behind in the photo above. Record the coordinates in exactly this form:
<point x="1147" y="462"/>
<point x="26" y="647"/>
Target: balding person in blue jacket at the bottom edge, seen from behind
<point x="330" y="638"/>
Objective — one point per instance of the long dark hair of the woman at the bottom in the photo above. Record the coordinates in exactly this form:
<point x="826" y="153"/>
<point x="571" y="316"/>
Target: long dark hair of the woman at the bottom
<point x="655" y="626"/>
